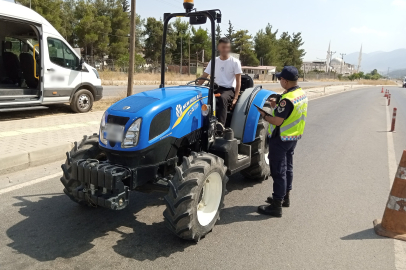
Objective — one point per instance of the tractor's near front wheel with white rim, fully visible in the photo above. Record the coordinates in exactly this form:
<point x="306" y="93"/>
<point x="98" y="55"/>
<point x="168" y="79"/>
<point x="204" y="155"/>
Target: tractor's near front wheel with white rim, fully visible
<point x="196" y="196"/>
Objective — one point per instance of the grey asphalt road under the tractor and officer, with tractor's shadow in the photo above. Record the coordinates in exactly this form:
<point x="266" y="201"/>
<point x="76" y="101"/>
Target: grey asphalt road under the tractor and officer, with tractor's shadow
<point x="341" y="185"/>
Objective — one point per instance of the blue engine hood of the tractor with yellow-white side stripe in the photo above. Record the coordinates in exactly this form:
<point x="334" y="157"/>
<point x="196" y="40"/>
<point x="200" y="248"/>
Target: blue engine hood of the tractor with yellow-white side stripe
<point x="183" y="101"/>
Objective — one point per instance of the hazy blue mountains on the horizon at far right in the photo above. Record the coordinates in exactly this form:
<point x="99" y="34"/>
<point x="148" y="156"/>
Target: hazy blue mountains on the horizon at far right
<point x="395" y="60"/>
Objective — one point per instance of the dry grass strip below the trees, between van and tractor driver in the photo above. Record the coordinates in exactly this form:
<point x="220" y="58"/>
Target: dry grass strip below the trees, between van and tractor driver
<point x="121" y="78"/>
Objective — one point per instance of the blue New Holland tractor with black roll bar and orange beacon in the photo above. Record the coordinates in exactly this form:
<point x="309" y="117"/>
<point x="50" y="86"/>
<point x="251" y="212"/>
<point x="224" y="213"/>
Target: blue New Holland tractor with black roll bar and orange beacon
<point x="166" y="140"/>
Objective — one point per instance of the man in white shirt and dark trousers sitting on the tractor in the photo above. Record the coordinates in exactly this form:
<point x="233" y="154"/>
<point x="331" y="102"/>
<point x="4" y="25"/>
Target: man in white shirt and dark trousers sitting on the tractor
<point x="228" y="77"/>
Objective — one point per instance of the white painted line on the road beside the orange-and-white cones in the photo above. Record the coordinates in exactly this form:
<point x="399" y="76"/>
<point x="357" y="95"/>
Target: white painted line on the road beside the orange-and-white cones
<point x="400" y="246"/>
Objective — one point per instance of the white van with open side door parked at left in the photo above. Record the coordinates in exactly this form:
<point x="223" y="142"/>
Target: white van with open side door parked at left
<point x="38" y="66"/>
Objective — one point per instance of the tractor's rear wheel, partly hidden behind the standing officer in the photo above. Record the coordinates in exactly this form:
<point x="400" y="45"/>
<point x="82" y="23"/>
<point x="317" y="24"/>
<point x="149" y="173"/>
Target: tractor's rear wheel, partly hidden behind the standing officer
<point x="259" y="169"/>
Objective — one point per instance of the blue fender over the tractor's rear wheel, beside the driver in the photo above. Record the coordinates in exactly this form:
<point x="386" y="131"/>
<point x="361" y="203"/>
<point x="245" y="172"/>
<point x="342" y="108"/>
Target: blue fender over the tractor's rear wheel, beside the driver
<point x="246" y="116"/>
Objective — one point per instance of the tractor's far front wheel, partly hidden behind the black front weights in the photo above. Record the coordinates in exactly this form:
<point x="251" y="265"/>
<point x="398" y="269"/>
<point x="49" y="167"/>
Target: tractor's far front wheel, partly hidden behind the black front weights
<point x="88" y="148"/>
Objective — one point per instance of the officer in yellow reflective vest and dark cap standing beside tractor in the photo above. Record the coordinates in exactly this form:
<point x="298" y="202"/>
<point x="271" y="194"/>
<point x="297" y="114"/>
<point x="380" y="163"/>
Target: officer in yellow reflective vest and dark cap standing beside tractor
<point x="287" y="124"/>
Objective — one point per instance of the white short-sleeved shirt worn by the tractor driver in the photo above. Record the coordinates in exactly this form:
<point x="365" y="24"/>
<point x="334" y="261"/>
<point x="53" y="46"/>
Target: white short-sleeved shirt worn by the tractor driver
<point x="225" y="71"/>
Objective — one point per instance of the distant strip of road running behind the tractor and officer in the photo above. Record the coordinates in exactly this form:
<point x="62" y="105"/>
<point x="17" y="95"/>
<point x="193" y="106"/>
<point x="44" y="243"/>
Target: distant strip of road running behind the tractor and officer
<point x="120" y="91"/>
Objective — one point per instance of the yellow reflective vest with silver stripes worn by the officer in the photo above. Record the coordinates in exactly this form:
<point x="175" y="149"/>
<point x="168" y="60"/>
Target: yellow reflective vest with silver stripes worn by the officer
<point x="293" y="127"/>
